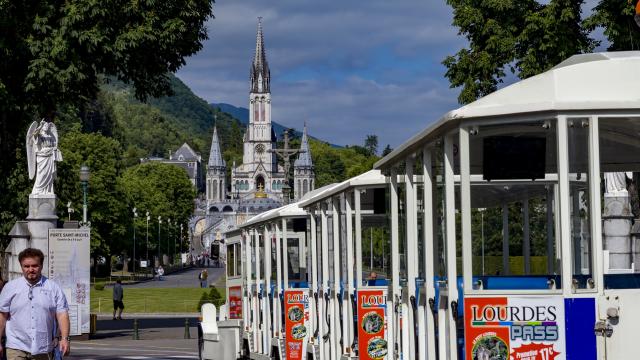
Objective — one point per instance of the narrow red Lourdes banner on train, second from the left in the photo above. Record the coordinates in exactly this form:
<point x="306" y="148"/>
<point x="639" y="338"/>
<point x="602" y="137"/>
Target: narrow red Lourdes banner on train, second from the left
<point x="296" y="307"/>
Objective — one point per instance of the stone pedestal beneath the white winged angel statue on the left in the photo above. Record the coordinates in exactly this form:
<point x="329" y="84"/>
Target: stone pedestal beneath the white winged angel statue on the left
<point x="42" y="217"/>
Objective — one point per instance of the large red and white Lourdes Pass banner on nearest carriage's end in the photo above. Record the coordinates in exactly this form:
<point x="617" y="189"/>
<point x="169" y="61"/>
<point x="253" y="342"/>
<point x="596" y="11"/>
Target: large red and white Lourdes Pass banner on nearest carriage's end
<point x="515" y="328"/>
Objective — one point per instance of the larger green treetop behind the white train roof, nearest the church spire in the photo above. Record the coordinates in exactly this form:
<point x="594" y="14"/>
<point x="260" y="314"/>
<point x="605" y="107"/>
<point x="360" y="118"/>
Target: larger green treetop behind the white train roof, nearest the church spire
<point x="524" y="37"/>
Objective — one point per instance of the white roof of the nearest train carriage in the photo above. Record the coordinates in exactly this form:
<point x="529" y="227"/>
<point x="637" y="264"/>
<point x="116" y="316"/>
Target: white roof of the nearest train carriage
<point x="588" y="83"/>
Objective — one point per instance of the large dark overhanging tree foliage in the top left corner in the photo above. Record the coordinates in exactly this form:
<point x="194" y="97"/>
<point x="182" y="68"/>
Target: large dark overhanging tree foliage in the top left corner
<point x="55" y="54"/>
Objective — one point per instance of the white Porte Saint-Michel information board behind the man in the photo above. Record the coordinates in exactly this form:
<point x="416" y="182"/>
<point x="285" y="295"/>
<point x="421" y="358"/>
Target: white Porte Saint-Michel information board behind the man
<point x="69" y="266"/>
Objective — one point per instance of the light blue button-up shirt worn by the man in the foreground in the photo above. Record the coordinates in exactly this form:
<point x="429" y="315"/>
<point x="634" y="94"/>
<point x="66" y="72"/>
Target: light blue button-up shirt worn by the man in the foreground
<point x="32" y="310"/>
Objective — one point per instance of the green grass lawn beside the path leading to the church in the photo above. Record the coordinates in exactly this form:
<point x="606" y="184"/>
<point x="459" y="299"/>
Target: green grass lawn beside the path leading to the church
<point x="153" y="300"/>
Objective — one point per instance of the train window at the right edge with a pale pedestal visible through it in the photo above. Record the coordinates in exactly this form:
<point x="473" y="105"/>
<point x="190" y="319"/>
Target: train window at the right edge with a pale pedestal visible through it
<point x="619" y="173"/>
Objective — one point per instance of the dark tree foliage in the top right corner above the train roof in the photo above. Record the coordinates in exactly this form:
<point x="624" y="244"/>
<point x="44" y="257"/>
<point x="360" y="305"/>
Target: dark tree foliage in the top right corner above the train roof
<point x="616" y="18"/>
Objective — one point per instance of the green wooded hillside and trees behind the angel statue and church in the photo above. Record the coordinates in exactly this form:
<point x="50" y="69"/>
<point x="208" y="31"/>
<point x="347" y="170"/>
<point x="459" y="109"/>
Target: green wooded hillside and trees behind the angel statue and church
<point x="112" y="133"/>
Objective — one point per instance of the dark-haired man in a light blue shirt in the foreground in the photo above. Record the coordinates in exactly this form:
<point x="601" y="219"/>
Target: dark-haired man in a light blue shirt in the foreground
<point x="33" y="312"/>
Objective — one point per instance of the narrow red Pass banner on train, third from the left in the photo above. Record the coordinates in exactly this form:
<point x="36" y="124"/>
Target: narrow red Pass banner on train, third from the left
<point x="372" y="324"/>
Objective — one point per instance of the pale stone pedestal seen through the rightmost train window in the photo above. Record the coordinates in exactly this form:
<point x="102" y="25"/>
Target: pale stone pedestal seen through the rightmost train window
<point x="616" y="228"/>
